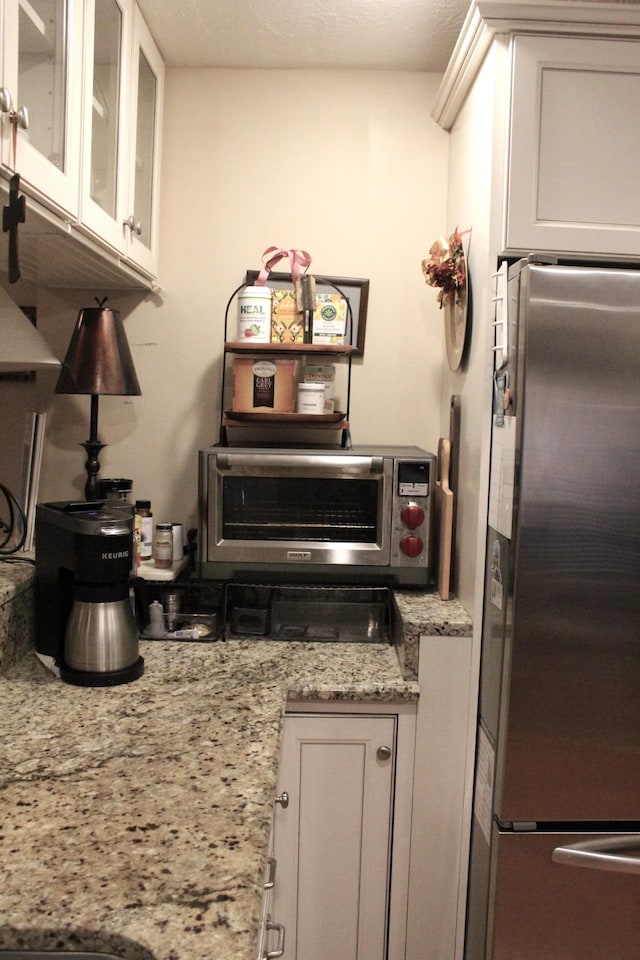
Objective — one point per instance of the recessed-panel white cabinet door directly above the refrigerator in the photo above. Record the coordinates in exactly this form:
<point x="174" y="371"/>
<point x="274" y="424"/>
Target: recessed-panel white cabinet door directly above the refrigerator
<point x="573" y="182"/>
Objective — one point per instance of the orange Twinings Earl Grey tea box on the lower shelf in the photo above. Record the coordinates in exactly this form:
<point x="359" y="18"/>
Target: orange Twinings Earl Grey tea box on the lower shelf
<point x="262" y="385"/>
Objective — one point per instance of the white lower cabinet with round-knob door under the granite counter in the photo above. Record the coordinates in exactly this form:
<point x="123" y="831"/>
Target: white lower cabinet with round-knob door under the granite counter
<point x="341" y="832"/>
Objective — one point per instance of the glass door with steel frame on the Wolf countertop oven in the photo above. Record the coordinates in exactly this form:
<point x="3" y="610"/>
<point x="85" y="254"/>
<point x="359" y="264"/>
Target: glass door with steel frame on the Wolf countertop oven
<point x="314" y="510"/>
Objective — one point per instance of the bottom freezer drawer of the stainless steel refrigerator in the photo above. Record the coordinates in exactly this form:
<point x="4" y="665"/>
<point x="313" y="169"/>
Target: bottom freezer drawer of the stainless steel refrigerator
<point x="558" y="911"/>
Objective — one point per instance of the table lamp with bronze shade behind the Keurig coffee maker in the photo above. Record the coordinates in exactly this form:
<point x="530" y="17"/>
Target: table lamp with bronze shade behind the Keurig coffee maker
<point x="98" y="363"/>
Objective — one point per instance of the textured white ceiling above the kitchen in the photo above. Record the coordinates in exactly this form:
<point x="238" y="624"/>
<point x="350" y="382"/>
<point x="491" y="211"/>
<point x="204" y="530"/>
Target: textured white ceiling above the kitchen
<point x="342" y="34"/>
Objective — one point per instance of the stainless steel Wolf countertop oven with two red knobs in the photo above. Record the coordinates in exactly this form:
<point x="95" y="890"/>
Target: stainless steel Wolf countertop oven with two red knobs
<point x="362" y="515"/>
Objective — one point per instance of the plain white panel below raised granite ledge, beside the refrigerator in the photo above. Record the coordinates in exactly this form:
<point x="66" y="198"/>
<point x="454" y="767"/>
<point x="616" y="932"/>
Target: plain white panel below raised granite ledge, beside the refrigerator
<point x="443" y="789"/>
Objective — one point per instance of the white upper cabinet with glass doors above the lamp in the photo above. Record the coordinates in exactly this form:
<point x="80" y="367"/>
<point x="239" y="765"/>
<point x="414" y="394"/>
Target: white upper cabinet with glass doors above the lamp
<point x="81" y="100"/>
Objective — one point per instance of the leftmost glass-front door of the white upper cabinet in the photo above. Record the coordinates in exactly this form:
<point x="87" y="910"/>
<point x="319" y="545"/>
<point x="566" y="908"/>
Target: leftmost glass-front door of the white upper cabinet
<point x="41" y="102"/>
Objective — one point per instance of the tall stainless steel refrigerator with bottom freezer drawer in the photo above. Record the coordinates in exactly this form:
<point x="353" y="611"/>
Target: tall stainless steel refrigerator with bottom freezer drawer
<point x="555" y="853"/>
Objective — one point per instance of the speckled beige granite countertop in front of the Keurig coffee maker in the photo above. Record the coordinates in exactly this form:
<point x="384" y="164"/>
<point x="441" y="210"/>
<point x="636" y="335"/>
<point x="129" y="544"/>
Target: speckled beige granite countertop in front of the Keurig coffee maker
<point x="136" y="819"/>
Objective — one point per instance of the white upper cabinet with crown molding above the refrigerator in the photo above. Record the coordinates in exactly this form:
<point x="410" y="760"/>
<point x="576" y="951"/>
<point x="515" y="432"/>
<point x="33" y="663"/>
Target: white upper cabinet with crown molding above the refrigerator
<point x="558" y="123"/>
